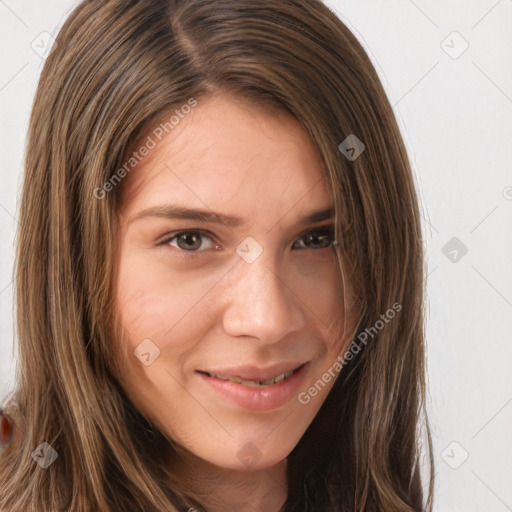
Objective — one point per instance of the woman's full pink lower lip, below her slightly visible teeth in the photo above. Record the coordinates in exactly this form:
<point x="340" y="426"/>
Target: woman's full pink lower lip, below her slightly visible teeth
<point x="263" y="398"/>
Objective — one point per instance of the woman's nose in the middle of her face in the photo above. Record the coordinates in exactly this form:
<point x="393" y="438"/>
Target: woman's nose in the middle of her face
<point x="262" y="303"/>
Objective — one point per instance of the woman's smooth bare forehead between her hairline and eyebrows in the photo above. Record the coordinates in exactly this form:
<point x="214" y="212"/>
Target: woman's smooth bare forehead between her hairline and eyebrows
<point x="226" y="150"/>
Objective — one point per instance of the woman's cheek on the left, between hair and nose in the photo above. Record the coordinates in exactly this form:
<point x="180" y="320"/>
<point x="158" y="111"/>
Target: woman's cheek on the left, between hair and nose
<point x="170" y="309"/>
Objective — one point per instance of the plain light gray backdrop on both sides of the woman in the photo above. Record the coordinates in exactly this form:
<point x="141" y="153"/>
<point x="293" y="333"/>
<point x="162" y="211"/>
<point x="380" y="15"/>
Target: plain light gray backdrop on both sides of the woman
<point x="455" y="112"/>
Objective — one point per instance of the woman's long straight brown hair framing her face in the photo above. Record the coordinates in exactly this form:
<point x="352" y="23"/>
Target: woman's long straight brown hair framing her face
<point x="117" y="69"/>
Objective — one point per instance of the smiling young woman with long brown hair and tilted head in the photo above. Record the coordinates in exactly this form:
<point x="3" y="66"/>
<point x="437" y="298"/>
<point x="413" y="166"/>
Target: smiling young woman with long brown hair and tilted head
<point x="219" y="270"/>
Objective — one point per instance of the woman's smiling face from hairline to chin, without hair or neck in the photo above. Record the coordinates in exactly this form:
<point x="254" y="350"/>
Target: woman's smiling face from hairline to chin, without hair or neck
<point x="228" y="285"/>
